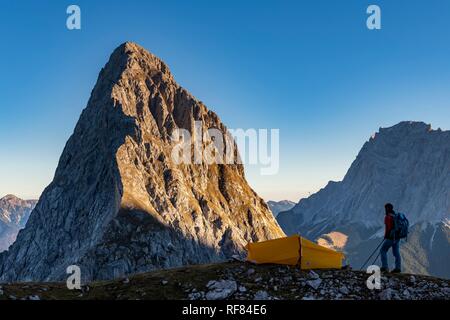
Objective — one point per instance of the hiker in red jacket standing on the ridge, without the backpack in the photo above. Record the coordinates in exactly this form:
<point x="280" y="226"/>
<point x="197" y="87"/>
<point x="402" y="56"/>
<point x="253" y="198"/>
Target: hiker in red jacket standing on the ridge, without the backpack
<point x="390" y="241"/>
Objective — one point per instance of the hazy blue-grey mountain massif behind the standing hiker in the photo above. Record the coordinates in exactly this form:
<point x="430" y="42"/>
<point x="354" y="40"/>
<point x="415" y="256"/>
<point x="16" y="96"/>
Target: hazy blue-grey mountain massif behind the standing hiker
<point x="408" y="165"/>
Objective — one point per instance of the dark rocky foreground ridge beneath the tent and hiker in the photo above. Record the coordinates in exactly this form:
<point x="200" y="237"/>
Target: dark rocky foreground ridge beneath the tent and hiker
<point x="240" y="281"/>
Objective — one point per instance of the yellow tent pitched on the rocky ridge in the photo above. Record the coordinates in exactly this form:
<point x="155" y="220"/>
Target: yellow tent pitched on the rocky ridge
<point x="294" y="250"/>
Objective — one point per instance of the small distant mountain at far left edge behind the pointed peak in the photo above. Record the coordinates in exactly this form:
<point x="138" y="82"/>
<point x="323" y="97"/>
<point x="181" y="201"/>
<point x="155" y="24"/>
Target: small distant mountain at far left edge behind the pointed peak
<point x="14" y="213"/>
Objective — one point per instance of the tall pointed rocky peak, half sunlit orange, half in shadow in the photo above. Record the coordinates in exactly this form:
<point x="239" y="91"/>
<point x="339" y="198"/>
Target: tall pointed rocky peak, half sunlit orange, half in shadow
<point x="119" y="204"/>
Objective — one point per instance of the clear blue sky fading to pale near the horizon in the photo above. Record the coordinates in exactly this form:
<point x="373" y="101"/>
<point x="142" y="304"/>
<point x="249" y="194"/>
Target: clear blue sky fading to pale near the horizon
<point x="310" y="68"/>
